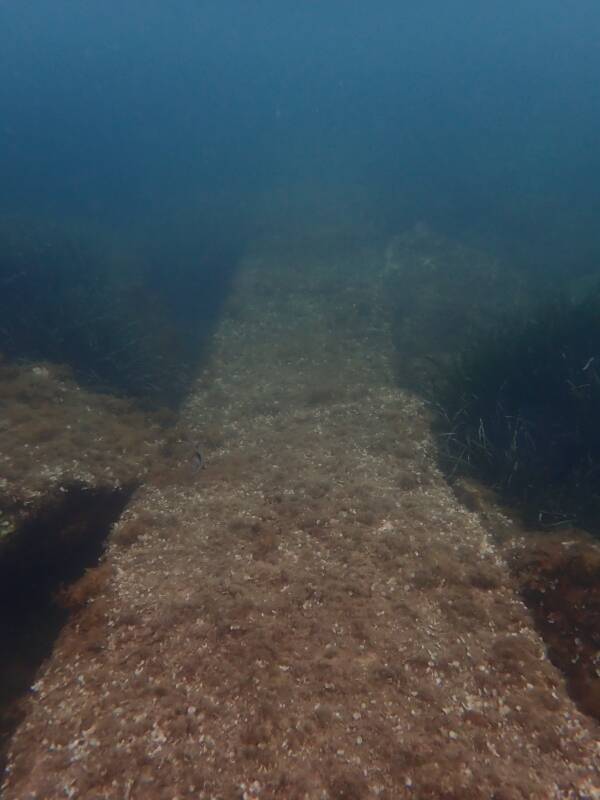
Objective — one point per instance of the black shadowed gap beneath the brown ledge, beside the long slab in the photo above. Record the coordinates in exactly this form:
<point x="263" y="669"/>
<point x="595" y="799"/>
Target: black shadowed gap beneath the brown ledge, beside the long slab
<point x="42" y="569"/>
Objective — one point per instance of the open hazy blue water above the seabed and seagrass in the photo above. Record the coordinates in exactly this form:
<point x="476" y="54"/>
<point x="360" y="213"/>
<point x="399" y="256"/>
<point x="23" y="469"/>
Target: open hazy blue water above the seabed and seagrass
<point x="479" y="118"/>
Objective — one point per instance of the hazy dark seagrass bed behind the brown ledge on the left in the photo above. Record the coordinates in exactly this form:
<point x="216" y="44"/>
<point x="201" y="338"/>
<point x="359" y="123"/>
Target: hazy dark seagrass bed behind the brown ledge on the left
<point x="67" y="298"/>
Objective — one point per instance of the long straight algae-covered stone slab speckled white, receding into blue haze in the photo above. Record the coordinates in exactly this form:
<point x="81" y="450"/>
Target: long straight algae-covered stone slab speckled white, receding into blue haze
<point x="314" y="614"/>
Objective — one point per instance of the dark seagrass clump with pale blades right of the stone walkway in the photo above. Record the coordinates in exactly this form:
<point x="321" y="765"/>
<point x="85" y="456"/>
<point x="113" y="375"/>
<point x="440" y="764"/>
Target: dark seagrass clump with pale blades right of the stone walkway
<point x="520" y="408"/>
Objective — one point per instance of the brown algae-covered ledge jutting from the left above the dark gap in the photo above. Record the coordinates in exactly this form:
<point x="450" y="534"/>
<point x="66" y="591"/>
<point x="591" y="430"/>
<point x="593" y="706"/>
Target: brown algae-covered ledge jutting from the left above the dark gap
<point x="54" y="433"/>
